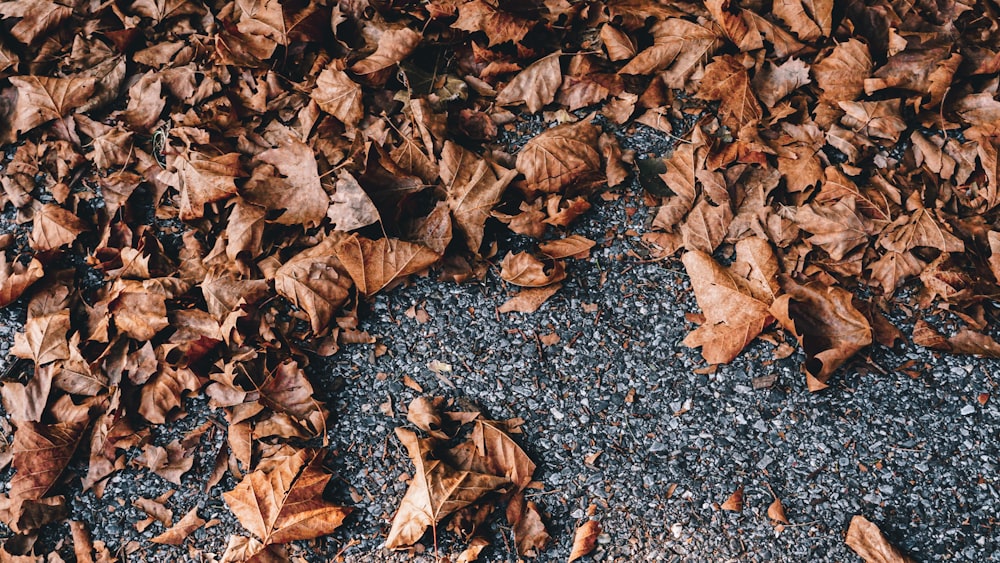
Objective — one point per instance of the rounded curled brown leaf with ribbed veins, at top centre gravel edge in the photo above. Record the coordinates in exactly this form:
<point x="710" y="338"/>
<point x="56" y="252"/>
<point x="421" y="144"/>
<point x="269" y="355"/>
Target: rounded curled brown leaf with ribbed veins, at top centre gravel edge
<point x="559" y="157"/>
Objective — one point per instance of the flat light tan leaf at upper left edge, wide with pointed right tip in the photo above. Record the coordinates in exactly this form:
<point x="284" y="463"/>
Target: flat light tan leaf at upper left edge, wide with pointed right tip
<point x="42" y="99"/>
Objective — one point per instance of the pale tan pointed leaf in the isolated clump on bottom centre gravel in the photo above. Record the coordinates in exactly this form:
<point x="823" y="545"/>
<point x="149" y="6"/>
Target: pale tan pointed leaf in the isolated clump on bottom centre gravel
<point x="436" y="491"/>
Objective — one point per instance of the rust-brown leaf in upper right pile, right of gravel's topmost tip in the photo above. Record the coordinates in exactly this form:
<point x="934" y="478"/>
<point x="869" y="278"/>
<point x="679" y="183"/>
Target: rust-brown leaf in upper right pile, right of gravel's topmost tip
<point x="727" y="80"/>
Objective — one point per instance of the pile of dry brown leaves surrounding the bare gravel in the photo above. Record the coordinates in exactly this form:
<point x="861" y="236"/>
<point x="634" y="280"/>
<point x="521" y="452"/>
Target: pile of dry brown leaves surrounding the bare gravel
<point x="241" y="175"/>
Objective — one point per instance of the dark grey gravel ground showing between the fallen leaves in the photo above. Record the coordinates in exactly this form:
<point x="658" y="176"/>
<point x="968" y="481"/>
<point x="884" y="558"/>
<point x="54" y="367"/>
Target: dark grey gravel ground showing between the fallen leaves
<point x="913" y="451"/>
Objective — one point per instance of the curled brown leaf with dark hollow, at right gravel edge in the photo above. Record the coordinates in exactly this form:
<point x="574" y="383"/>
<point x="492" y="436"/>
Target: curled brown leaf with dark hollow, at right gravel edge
<point x="827" y="325"/>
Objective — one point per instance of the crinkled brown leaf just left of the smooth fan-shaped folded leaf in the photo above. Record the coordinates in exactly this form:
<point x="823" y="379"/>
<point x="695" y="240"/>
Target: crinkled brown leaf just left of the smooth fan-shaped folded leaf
<point x="315" y="281"/>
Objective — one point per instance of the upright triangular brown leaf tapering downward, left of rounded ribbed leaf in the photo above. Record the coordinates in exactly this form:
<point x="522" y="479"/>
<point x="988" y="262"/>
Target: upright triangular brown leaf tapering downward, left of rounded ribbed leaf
<point x="474" y="186"/>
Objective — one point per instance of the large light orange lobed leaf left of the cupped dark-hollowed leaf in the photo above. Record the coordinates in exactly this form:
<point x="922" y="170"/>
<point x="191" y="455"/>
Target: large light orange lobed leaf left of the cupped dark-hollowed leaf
<point x="734" y="300"/>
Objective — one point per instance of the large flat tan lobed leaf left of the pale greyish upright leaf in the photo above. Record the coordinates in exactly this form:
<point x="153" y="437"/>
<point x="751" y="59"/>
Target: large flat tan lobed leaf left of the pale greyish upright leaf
<point x="291" y="183"/>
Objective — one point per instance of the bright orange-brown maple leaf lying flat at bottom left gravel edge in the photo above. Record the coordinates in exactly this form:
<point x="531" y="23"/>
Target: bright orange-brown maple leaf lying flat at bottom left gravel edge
<point x="286" y="504"/>
